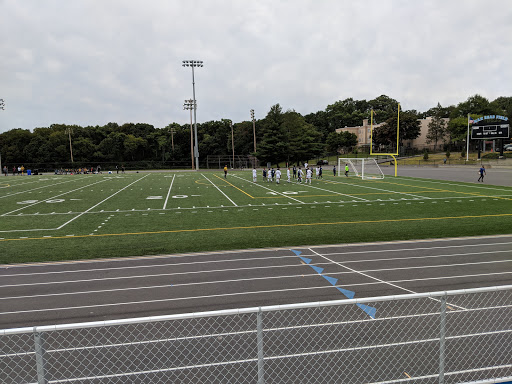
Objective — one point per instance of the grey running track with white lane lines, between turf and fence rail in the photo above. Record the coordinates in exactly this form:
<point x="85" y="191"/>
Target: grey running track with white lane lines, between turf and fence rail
<point x="57" y="293"/>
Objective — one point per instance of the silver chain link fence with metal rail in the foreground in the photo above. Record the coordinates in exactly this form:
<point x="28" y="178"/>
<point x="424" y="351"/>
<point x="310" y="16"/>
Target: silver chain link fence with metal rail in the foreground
<point x="460" y="336"/>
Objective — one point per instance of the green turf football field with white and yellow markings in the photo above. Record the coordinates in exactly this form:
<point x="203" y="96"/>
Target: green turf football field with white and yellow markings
<point x="93" y="216"/>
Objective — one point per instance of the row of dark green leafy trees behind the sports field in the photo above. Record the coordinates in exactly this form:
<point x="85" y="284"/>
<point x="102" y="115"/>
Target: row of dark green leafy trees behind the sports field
<point x="280" y="135"/>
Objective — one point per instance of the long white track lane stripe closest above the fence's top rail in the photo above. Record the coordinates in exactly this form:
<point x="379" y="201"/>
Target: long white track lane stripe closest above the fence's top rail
<point x="239" y="294"/>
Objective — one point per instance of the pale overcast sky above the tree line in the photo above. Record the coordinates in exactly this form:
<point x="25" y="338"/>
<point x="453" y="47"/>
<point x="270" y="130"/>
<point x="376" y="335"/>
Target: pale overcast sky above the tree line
<point x="90" y="62"/>
